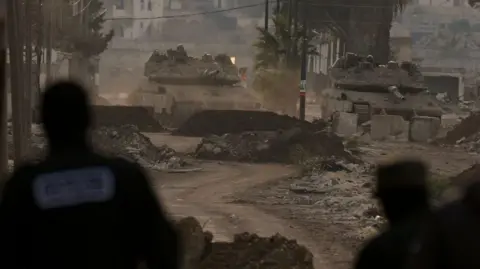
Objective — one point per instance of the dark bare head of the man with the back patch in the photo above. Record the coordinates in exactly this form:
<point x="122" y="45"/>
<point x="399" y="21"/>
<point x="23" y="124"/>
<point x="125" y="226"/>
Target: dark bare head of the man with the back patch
<point x="65" y="114"/>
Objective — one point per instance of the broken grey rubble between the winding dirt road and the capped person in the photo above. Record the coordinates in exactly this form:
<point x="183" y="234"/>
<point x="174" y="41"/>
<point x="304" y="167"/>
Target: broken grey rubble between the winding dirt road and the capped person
<point x="339" y="201"/>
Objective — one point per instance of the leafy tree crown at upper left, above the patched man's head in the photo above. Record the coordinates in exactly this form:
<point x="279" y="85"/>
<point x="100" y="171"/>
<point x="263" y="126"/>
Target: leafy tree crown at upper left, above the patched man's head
<point x="71" y="37"/>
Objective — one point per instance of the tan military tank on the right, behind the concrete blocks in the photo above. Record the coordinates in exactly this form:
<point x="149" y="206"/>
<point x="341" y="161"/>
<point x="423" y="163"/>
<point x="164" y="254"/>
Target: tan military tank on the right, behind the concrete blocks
<point x="360" y="86"/>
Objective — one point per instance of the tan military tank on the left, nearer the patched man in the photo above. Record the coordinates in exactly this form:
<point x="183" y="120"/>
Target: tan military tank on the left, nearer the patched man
<point x="178" y="86"/>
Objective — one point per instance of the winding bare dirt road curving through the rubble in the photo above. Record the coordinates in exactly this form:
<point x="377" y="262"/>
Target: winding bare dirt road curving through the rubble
<point x="207" y="196"/>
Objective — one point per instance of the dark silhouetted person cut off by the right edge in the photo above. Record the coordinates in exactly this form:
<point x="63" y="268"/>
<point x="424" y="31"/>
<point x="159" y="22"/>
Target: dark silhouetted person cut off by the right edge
<point x="452" y="240"/>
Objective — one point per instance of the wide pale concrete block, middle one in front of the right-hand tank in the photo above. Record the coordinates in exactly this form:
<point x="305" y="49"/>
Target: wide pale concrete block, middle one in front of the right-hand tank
<point x="385" y="126"/>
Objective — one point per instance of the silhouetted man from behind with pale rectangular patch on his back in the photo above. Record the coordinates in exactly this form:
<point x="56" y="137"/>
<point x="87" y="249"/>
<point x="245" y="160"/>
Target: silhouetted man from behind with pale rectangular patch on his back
<point x="77" y="209"/>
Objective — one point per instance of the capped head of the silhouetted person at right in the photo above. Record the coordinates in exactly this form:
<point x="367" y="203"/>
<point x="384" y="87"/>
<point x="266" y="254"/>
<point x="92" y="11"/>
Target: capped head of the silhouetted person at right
<point x="402" y="188"/>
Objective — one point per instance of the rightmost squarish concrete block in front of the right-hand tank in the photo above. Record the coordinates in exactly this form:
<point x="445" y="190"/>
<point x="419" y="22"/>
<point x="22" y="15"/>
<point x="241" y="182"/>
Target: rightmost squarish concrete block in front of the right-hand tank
<point x="423" y="129"/>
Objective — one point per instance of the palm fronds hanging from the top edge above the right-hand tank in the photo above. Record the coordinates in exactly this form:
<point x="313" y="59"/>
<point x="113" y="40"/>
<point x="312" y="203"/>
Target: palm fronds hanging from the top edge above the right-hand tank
<point x="362" y="25"/>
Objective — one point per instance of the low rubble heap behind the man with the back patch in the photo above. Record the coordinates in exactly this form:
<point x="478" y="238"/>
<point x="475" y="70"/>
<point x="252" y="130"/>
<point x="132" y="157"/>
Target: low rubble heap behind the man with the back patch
<point x="124" y="141"/>
